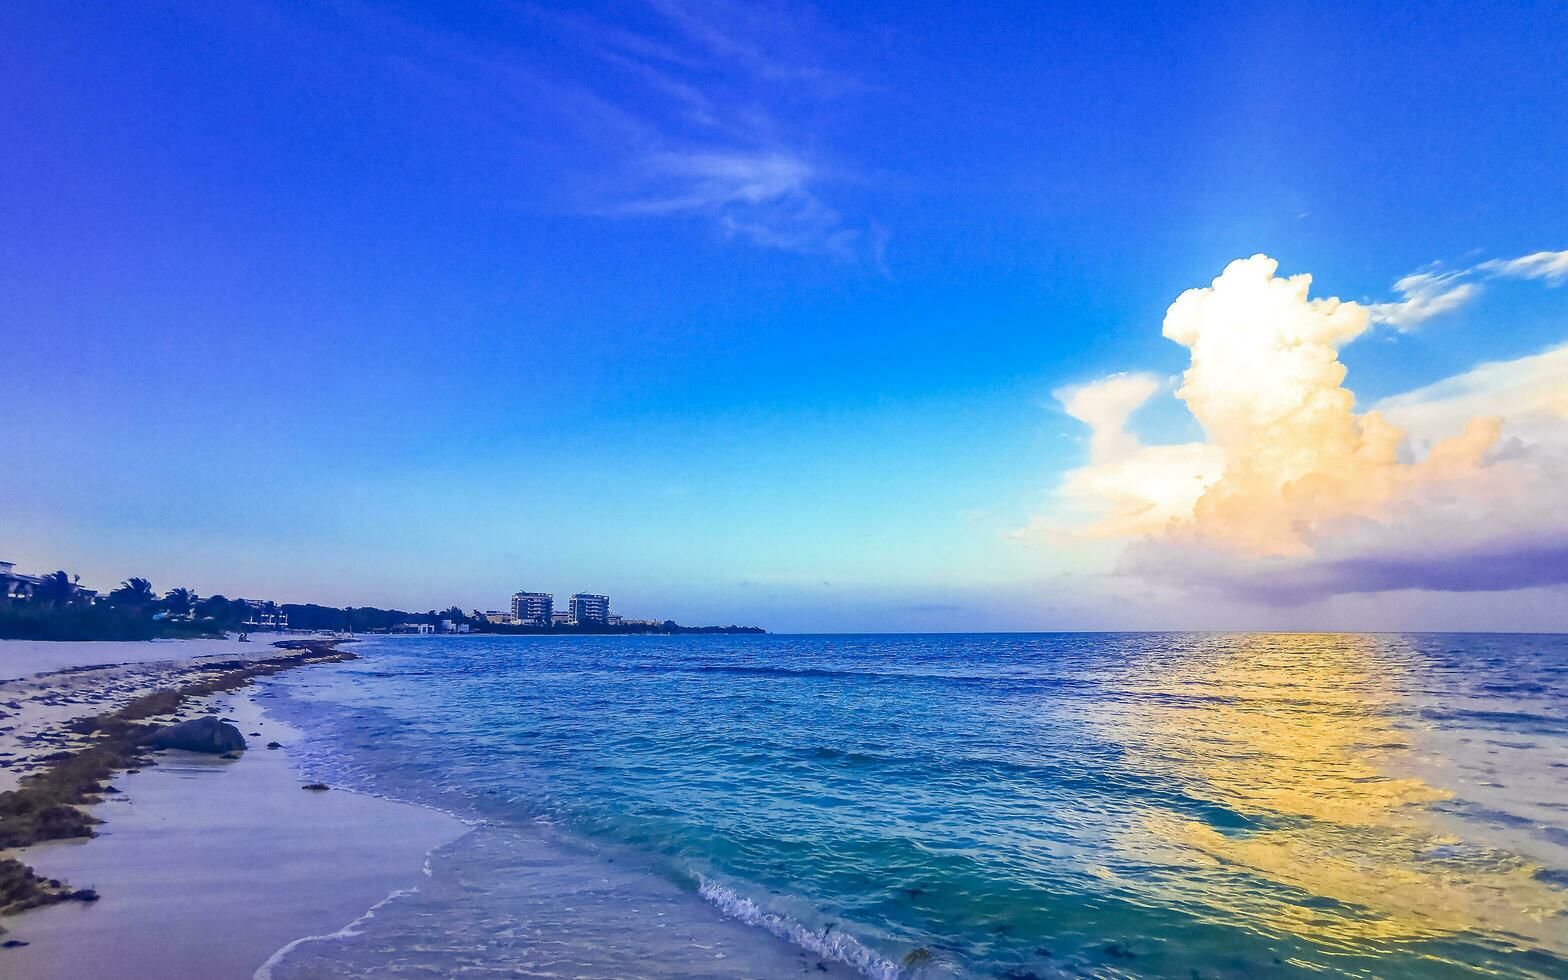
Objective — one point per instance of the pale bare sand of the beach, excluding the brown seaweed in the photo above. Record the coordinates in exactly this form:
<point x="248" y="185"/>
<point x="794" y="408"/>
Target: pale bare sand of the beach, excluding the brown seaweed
<point x="225" y="863"/>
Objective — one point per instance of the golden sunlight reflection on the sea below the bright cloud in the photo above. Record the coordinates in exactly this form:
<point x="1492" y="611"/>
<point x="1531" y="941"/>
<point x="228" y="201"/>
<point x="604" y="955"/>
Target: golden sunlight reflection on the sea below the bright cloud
<point x="1307" y="744"/>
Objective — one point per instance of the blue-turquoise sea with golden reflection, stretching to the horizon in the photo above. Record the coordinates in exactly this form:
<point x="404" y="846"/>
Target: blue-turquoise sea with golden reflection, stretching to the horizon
<point x="1142" y="805"/>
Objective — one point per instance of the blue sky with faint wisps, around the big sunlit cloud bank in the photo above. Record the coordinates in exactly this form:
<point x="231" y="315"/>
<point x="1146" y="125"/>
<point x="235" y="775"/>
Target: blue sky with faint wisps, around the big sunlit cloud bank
<point x="738" y="313"/>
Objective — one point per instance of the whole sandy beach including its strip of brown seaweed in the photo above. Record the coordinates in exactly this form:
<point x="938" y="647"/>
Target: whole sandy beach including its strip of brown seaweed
<point x="95" y="868"/>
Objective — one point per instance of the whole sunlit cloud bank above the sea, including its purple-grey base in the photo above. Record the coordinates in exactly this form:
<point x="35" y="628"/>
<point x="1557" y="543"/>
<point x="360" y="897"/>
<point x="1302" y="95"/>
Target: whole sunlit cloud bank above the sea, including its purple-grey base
<point x="1293" y="495"/>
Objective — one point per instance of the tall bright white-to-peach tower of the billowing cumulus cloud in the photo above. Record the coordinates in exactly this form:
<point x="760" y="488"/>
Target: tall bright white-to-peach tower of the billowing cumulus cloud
<point x="1266" y="385"/>
